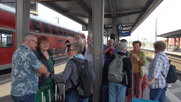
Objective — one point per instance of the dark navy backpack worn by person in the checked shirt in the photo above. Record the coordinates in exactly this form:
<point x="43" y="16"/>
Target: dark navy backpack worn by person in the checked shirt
<point x="172" y="74"/>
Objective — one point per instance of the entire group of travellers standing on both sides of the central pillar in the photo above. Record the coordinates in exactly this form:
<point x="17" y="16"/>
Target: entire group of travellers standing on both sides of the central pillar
<point x="33" y="68"/>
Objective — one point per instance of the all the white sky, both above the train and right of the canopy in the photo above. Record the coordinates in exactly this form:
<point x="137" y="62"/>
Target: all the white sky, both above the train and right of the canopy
<point x="167" y="15"/>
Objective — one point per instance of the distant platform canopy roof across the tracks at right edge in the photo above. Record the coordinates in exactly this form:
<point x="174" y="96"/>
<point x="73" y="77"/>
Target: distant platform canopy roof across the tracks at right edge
<point x="173" y="34"/>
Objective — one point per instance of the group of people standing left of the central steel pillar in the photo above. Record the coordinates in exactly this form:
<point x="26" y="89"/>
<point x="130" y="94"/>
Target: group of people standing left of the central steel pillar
<point x="33" y="69"/>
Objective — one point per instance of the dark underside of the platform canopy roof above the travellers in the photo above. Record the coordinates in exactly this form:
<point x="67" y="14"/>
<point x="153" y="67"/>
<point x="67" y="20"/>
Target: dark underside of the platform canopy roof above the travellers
<point x="129" y="13"/>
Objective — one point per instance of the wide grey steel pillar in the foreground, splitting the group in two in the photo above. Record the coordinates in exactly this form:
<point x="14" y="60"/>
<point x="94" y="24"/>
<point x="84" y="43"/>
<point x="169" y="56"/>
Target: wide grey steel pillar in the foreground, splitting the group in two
<point x="98" y="31"/>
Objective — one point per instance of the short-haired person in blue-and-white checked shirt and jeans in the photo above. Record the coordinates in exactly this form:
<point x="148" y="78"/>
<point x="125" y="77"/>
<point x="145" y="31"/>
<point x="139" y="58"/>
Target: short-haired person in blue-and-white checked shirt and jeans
<point x="159" y="66"/>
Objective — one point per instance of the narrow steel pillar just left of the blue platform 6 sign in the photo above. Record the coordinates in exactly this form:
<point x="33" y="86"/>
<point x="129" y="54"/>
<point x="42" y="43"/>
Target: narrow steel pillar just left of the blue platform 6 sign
<point x="114" y="30"/>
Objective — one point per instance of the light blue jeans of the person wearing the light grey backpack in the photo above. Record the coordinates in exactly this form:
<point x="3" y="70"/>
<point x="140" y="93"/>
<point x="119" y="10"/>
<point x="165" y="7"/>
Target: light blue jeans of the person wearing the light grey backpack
<point x="117" y="92"/>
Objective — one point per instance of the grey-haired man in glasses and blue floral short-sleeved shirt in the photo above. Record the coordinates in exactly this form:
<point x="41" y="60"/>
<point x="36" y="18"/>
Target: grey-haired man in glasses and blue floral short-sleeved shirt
<point x="25" y="69"/>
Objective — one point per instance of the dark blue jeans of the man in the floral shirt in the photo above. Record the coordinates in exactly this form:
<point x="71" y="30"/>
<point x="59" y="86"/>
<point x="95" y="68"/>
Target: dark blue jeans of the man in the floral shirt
<point x="25" y="98"/>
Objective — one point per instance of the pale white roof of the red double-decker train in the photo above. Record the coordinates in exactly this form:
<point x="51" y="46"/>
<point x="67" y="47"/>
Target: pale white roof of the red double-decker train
<point x="12" y="10"/>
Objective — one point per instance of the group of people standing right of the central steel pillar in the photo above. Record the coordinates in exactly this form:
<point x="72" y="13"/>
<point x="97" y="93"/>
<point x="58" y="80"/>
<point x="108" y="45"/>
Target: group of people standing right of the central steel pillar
<point x="133" y="64"/>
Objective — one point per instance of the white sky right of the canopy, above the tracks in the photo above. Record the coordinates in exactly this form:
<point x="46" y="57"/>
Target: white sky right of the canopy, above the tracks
<point x="168" y="19"/>
